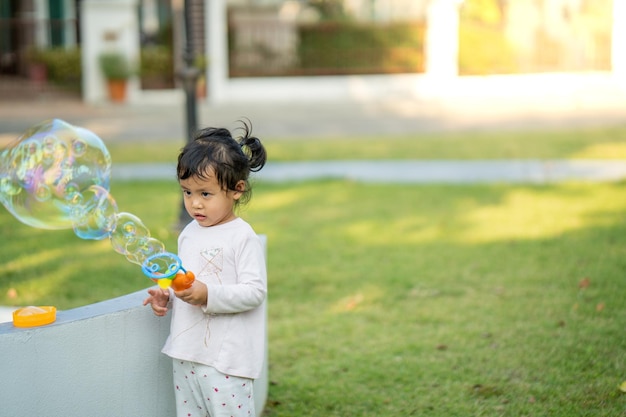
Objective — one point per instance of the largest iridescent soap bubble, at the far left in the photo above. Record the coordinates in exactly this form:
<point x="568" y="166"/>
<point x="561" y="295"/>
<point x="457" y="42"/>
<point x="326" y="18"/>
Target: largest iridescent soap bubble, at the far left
<point x="37" y="168"/>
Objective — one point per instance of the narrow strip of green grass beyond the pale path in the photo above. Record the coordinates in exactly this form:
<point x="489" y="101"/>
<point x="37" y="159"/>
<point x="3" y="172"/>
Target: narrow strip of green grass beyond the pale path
<point x="597" y="143"/>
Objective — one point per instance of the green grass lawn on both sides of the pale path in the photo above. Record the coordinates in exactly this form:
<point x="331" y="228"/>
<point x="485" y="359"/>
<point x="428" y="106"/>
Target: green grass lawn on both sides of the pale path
<point x="398" y="300"/>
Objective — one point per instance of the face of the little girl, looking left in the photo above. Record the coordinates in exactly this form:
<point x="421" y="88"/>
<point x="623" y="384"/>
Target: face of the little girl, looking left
<point x="207" y="202"/>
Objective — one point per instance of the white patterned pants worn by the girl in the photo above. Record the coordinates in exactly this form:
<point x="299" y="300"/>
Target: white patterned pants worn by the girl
<point x="203" y="391"/>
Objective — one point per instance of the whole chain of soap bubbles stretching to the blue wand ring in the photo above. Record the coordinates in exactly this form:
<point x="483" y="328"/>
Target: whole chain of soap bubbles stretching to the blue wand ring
<point x="56" y="176"/>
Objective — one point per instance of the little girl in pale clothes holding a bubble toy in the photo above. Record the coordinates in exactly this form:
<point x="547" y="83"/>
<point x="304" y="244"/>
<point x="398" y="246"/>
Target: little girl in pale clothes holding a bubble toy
<point x="217" y="333"/>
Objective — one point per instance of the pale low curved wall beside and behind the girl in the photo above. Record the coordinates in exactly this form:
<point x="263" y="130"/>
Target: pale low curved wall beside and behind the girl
<point x="101" y="360"/>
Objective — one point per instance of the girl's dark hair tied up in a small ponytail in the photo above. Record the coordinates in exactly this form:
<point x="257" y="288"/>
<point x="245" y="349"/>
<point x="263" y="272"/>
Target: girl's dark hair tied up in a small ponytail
<point x="230" y="159"/>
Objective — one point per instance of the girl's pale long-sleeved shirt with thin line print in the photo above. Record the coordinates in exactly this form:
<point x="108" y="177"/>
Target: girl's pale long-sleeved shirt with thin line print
<point x="229" y="332"/>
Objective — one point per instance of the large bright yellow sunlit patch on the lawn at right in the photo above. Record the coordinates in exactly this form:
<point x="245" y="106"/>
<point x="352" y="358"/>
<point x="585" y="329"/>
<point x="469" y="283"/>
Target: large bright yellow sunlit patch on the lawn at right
<point x="520" y="213"/>
